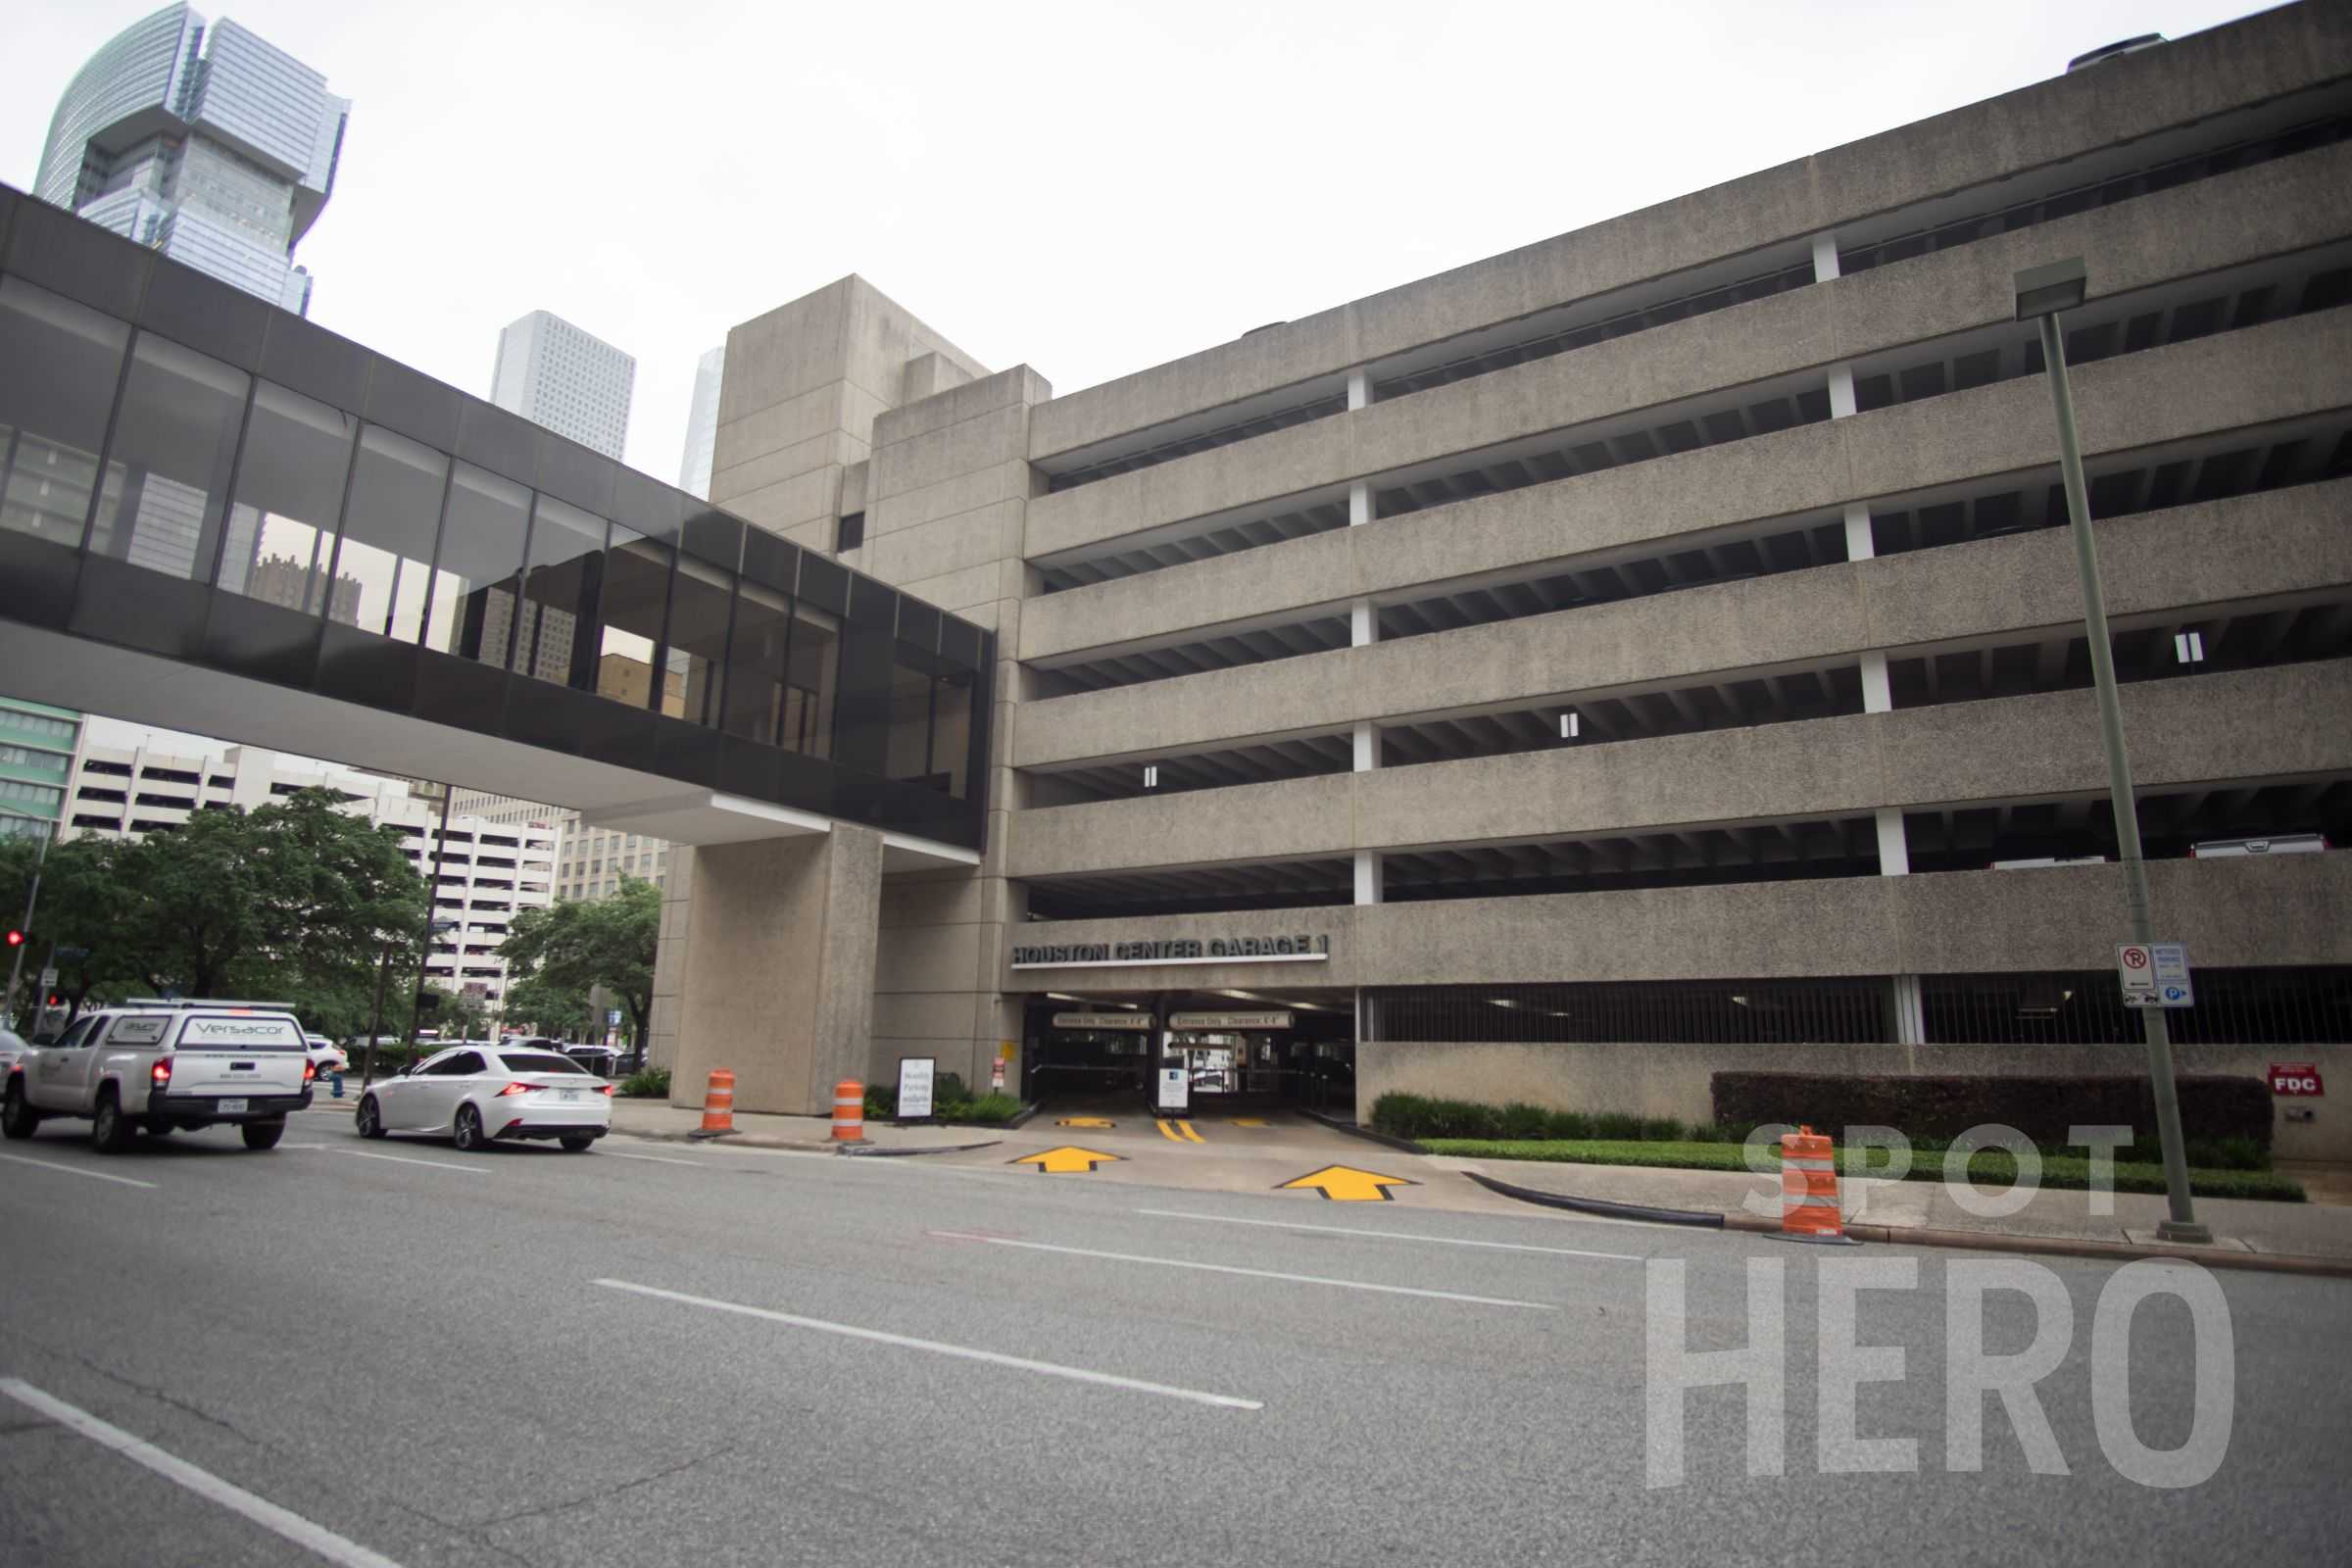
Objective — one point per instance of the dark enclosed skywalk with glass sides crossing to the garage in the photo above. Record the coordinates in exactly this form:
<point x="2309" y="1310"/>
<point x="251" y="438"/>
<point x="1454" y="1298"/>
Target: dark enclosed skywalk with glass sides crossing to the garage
<point x="236" y="509"/>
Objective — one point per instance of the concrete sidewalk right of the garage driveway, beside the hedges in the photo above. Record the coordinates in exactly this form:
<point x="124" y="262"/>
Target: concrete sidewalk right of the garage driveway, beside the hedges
<point x="2054" y="1221"/>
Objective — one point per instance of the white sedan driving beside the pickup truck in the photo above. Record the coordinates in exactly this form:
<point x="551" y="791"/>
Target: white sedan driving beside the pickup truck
<point x="481" y="1094"/>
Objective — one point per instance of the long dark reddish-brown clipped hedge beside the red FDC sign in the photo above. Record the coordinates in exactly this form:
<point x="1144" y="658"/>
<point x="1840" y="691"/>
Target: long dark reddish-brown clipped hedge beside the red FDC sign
<point x="2217" y="1113"/>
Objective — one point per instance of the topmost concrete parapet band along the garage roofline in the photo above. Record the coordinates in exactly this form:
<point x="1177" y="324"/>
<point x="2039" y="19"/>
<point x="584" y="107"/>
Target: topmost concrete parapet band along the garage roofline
<point x="2054" y="121"/>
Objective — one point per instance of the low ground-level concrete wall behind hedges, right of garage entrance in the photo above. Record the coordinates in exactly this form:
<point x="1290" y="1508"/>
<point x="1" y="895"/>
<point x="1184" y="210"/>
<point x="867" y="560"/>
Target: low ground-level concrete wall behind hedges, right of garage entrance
<point x="1673" y="1080"/>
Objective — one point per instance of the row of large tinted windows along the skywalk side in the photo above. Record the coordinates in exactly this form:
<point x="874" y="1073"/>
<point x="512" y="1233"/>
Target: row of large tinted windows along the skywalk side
<point x="154" y="455"/>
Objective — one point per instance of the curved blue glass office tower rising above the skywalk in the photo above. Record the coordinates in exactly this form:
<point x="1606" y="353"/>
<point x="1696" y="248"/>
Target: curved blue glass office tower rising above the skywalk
<point x="203" y="142"/>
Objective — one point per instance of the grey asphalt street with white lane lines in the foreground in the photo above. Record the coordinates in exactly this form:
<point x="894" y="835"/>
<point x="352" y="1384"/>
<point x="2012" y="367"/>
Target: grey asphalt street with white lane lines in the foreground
<point x="683" y="1355"/>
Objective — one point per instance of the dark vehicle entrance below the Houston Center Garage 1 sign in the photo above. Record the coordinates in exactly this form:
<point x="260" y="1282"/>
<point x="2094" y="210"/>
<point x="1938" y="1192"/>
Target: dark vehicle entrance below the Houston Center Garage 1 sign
<point x="1236" y="1050"/>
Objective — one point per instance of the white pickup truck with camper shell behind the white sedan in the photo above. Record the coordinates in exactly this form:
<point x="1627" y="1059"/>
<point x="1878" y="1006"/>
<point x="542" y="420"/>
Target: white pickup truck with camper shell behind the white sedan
<point x="166" y="1066"/>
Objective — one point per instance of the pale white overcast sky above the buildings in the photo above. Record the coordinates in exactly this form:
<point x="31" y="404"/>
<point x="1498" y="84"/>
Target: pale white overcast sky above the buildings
<point x="1088" y="189"/>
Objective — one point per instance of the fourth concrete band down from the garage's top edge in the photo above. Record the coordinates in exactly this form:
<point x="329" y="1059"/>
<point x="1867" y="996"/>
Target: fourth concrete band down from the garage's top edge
<point x="2214" y="554"/>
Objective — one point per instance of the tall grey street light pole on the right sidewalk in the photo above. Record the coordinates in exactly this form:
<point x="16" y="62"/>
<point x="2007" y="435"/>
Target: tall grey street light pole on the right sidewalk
<point x="2043" y="295"/>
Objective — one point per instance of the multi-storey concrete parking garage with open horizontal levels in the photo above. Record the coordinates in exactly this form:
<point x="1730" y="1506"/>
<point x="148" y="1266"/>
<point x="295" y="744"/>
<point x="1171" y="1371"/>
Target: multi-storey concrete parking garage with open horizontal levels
<point x="1655" y="650"/>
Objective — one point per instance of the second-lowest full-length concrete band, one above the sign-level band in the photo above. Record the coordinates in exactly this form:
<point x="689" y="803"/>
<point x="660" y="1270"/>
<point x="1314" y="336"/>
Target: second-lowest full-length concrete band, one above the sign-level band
<point x="2205" y="730"/>
